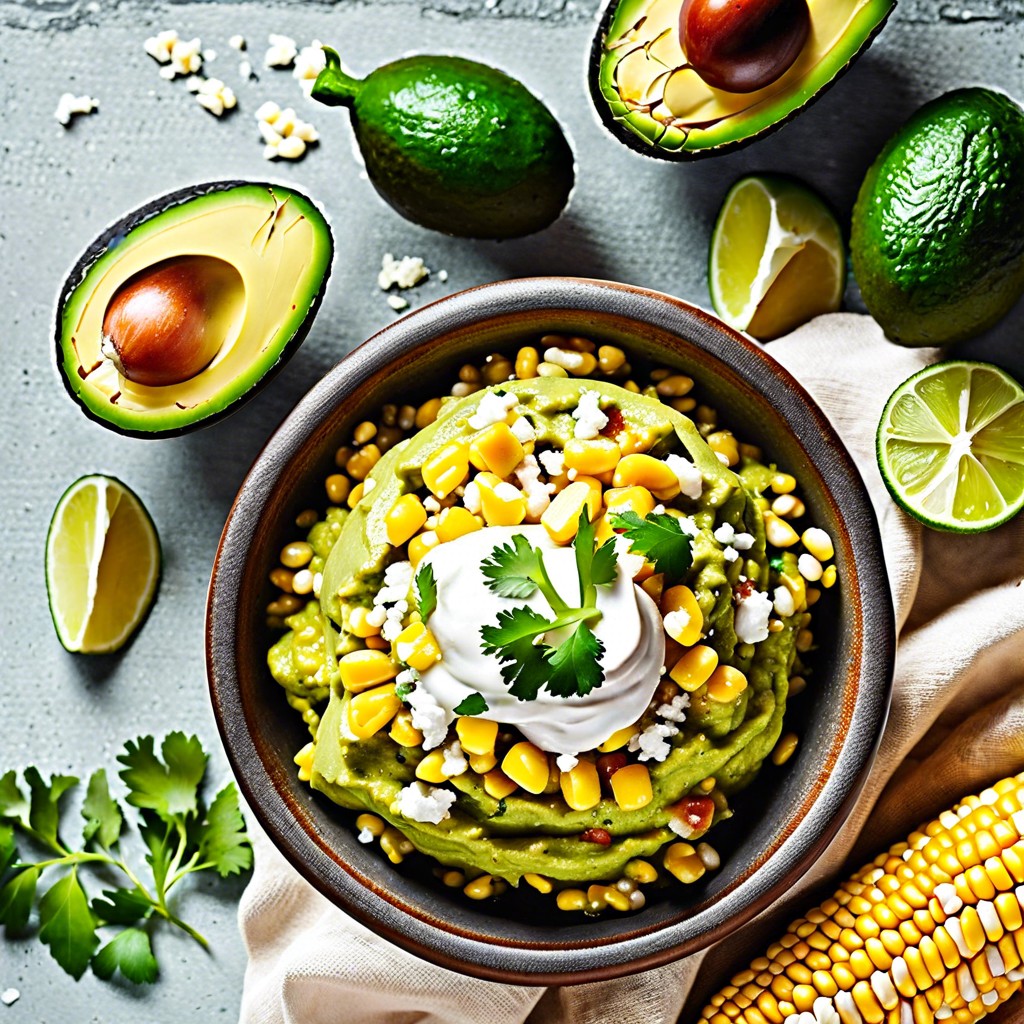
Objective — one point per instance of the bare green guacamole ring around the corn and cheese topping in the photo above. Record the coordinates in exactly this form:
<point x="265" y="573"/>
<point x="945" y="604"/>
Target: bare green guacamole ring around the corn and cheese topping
<point x="540" y="835"/>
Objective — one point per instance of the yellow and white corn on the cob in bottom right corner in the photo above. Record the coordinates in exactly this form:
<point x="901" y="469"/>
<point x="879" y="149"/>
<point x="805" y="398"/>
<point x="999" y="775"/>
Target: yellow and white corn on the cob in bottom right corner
<point x="930" y="931"/>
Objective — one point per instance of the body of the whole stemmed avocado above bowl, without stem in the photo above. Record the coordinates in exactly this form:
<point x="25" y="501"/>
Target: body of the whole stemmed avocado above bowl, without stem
<point x="463" y="149"/>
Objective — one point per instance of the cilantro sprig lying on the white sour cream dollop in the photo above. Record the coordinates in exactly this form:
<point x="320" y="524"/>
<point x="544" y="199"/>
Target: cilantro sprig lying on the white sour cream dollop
<point x="573" y="668"/>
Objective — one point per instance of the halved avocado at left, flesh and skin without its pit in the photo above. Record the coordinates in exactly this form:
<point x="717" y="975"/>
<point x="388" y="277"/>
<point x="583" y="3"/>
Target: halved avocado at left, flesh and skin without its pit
<point x="263" y="255"/>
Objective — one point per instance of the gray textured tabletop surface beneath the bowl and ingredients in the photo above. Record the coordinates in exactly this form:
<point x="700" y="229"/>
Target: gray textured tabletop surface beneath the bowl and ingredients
<point x="636" y="221"/>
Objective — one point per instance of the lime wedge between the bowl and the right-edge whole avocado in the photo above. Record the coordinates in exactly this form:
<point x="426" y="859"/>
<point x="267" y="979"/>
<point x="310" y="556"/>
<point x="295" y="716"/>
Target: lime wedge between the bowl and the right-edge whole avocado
<point x="777" y="258"/>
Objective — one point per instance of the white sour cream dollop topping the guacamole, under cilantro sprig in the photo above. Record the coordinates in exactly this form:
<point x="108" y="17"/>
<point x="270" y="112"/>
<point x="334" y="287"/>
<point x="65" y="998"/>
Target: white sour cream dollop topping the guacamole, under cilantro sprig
<point x="630" y="628"/>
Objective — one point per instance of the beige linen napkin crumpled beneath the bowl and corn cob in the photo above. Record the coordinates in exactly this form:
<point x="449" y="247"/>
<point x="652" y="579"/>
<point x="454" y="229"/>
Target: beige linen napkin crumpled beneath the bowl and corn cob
<point x="957" y="726"/>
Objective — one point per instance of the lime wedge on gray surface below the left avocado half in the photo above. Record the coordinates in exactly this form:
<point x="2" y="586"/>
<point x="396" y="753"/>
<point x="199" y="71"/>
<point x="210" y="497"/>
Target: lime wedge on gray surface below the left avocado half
<point x="103" y="565"/>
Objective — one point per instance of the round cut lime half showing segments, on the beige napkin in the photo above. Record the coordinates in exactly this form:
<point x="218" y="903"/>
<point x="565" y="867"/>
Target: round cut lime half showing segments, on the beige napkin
<point x="951" y="446"/>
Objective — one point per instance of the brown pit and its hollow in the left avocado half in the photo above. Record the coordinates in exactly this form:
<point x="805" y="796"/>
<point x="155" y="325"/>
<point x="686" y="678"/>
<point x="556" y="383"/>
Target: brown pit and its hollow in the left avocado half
<point x="166" y="324"/>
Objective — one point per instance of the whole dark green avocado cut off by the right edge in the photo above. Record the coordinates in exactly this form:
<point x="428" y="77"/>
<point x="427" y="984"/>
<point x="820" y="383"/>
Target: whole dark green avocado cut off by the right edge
<point x="936" y="237"/>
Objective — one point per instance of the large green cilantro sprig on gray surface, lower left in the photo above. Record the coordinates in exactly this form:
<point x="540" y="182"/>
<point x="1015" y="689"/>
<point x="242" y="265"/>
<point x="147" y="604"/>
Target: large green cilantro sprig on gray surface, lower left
<point x="182" y="834"/>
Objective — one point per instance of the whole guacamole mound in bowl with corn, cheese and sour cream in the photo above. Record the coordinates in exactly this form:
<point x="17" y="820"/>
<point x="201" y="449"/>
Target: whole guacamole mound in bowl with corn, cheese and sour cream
<point x="429" y="732"/>
